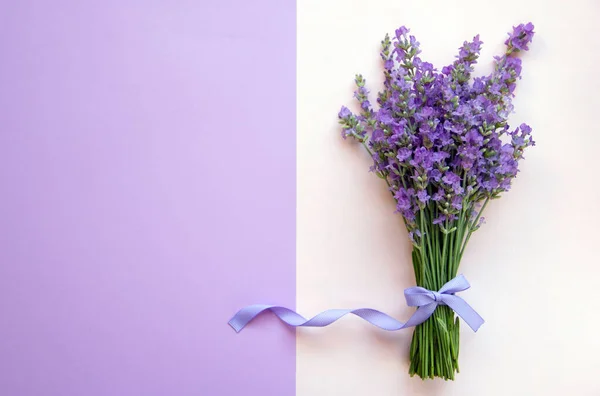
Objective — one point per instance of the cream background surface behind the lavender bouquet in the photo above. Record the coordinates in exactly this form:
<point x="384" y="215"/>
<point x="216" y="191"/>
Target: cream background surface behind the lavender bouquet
<point x="534" y="267"/>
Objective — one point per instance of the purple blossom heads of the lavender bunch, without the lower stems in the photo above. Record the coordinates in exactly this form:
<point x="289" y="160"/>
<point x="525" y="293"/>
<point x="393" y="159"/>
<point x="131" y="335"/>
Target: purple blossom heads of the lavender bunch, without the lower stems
<point x="441" y="138"/>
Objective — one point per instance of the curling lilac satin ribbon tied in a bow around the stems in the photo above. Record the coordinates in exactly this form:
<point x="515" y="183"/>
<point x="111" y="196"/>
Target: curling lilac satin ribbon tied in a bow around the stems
<point x="426" y="301"/>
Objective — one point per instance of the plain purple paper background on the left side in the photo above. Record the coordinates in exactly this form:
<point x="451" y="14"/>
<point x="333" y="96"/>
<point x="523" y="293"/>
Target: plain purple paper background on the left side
<point x="148" y="192"/>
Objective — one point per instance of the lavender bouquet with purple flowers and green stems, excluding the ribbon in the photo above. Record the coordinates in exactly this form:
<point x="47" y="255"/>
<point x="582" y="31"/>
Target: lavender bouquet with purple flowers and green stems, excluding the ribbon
<point x="441" y="142"/>
